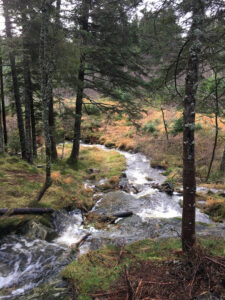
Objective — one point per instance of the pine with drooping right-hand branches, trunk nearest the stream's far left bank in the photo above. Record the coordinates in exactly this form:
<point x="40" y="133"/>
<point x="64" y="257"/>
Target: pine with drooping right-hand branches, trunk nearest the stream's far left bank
<point x="109" y="58"/>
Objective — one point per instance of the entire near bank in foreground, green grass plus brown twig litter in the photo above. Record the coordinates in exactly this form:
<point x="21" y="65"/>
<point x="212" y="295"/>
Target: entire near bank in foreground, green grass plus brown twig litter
<point x="150" y="269"/>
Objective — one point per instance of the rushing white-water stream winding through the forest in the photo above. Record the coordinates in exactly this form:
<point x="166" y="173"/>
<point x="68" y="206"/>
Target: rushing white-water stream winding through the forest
<point x="26" y="264"/>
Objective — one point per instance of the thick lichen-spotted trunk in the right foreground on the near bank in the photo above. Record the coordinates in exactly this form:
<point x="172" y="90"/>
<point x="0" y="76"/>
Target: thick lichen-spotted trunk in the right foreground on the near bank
<point x="191" y="86"/>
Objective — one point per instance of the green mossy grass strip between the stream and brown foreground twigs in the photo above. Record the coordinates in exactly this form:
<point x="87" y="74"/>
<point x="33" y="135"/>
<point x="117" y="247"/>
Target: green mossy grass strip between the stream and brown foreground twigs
<point x="101" y="269"/>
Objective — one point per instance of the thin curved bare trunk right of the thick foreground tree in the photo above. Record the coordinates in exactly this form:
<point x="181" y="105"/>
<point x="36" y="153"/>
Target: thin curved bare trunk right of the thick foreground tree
<point x="216" y="126"/>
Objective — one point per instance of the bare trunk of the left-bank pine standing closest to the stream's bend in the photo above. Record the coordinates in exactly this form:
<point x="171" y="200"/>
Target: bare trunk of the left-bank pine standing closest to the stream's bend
<point x="80" y="90"/>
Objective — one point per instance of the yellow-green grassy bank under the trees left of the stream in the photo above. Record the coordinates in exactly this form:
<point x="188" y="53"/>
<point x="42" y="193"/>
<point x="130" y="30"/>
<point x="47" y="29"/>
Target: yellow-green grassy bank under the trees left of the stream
<point x="20" y="182"/>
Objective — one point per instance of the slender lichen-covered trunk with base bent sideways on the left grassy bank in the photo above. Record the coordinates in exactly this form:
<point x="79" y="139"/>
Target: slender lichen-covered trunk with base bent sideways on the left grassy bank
<point x="46" y="89"/>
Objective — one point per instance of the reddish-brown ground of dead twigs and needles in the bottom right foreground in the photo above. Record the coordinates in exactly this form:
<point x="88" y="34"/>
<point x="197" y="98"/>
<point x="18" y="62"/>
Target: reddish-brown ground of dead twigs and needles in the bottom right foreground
<point x="197" y="276"/>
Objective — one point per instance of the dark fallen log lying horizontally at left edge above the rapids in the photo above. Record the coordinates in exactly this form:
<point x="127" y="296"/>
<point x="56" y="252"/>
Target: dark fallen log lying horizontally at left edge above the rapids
<point x="25" y="211"/>
